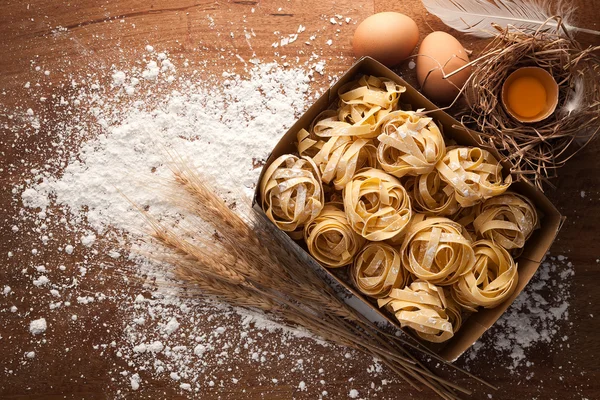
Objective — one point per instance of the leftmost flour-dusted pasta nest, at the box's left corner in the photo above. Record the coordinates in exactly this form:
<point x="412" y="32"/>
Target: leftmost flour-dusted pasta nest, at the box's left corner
<point x="292" y="194"/>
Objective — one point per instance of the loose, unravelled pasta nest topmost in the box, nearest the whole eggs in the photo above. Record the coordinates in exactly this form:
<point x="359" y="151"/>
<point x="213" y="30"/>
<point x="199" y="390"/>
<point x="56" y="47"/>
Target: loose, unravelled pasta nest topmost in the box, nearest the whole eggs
<point x="362" y="106"/>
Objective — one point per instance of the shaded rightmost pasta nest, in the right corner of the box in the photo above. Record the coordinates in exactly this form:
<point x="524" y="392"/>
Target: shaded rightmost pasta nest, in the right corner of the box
<point x="508" y="220"/>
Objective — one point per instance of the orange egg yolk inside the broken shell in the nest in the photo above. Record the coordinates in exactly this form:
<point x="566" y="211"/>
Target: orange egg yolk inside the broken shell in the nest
<point x="526" y="96"/>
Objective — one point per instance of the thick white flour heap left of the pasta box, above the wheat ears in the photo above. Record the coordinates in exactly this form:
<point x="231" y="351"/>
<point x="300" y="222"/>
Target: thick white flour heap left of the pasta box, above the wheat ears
<point x="114" y="170"/>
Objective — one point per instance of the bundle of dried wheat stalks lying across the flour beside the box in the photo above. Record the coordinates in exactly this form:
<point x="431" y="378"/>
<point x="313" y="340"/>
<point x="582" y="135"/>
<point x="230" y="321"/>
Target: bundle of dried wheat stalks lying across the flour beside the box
<point x="249" y="267"/>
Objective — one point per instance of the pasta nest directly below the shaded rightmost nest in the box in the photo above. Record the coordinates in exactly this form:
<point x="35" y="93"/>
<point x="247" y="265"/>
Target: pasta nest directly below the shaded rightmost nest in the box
<point x="493" y="278"/>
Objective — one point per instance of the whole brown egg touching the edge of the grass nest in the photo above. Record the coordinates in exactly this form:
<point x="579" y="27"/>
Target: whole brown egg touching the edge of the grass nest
<point x="441" y="52"/>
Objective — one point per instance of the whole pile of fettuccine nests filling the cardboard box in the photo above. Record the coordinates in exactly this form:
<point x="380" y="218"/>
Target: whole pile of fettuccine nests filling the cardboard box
<point x="426" y="227"/>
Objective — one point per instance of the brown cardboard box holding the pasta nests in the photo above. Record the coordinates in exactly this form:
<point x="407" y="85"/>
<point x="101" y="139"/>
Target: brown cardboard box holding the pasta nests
<point x="535" y="248"/>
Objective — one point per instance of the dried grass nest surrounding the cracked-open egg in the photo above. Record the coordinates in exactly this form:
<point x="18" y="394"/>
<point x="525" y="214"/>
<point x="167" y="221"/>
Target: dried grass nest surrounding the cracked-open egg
<point x="536" y="150"/>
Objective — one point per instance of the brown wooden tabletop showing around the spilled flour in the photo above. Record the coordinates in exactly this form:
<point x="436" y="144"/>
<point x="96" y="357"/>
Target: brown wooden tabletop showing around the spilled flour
<point x="74" y="37"/>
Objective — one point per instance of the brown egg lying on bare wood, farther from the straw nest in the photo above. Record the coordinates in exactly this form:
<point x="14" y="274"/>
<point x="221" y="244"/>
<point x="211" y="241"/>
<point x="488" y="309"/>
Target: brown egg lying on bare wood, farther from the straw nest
<point x="388" y="37"/>
